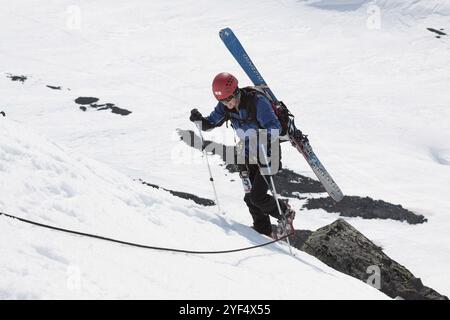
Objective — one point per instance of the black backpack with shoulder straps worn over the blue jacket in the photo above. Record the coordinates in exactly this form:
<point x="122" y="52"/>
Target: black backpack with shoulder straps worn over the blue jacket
<point x="278" y="107"/>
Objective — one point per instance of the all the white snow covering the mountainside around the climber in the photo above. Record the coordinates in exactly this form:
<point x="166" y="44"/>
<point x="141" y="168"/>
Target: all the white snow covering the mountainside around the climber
<point x="375" y="103"/>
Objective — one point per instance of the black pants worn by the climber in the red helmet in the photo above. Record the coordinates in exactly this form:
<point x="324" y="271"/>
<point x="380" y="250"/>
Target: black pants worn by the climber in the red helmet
<point x="260" y="204"/>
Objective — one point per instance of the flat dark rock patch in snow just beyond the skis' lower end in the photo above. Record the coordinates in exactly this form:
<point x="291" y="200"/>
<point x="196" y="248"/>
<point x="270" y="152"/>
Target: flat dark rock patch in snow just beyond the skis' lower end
<point x="367" y="208"/>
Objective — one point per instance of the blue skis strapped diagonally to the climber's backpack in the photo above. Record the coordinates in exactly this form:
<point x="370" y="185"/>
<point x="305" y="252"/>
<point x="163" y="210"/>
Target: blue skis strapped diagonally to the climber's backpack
<point x="297" y="139"/>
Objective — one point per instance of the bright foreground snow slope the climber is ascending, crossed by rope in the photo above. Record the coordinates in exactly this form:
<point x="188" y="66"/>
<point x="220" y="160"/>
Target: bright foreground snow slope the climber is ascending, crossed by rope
<point x="43" y="181"/>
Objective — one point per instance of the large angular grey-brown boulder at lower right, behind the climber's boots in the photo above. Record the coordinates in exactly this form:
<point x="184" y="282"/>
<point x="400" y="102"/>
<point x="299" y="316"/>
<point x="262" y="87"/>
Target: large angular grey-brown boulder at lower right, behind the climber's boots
<point x="345" y="249"/>
